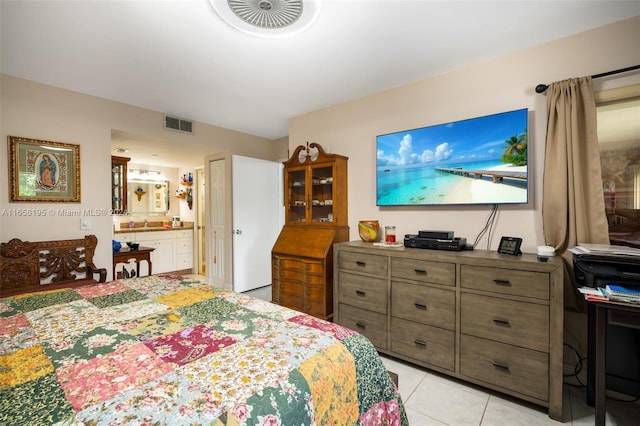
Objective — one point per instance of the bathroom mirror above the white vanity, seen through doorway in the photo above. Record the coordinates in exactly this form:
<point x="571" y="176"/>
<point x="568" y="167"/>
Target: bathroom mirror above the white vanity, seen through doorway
<point x="148" y="198"/>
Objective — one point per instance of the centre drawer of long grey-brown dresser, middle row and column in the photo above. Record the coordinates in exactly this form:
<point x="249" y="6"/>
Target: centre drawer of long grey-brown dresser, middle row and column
<point x="426" y="305"/>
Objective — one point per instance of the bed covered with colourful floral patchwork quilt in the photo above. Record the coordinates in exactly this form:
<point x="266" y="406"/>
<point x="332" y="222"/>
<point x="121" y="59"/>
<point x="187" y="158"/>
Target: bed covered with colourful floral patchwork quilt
<point x="168" y="350"/>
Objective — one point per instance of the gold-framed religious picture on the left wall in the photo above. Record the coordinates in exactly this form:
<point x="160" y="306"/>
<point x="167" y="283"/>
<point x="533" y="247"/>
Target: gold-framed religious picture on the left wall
<point x="43" y="171"/>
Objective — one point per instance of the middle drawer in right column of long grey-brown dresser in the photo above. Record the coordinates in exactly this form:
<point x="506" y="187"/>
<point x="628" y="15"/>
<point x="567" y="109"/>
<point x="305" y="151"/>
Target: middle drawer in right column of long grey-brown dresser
<point x="508" y="321"/>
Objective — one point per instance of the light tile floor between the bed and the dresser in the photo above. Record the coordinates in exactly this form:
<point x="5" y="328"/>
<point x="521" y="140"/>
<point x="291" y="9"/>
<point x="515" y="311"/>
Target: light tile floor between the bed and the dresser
<point x="434" y="399"/>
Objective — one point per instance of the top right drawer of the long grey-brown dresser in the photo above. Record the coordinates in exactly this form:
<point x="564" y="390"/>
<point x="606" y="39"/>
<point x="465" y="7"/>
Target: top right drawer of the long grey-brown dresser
<point x="505" y="281"/>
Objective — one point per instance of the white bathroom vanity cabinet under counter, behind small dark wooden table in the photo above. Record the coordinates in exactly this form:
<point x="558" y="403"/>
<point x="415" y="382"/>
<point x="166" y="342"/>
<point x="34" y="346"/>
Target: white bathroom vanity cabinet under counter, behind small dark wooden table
<point x="173" y="249"/>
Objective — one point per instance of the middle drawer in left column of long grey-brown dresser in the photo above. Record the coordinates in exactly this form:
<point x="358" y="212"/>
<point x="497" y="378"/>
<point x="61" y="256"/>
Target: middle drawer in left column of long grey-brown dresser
<point x="363" y="292"/>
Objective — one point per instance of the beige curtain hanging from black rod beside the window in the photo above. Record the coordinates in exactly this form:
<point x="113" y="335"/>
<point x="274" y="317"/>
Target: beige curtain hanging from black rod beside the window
<point x="572" y="200"/>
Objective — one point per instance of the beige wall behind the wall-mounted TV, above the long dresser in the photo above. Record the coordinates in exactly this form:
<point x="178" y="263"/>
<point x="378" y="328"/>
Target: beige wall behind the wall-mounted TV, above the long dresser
<point x="499" y="85"/>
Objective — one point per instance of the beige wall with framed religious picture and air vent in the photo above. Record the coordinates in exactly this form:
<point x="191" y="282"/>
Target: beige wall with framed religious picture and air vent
<point x="39" y="111"/>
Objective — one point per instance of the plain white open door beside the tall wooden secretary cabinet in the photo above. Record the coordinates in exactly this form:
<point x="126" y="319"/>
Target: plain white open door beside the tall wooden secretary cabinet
<point x="258" y="214"/>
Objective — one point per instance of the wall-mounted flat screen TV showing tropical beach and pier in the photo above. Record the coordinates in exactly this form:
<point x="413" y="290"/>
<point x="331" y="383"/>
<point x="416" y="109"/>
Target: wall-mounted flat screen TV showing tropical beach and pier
<point x="481" y="160"/>
